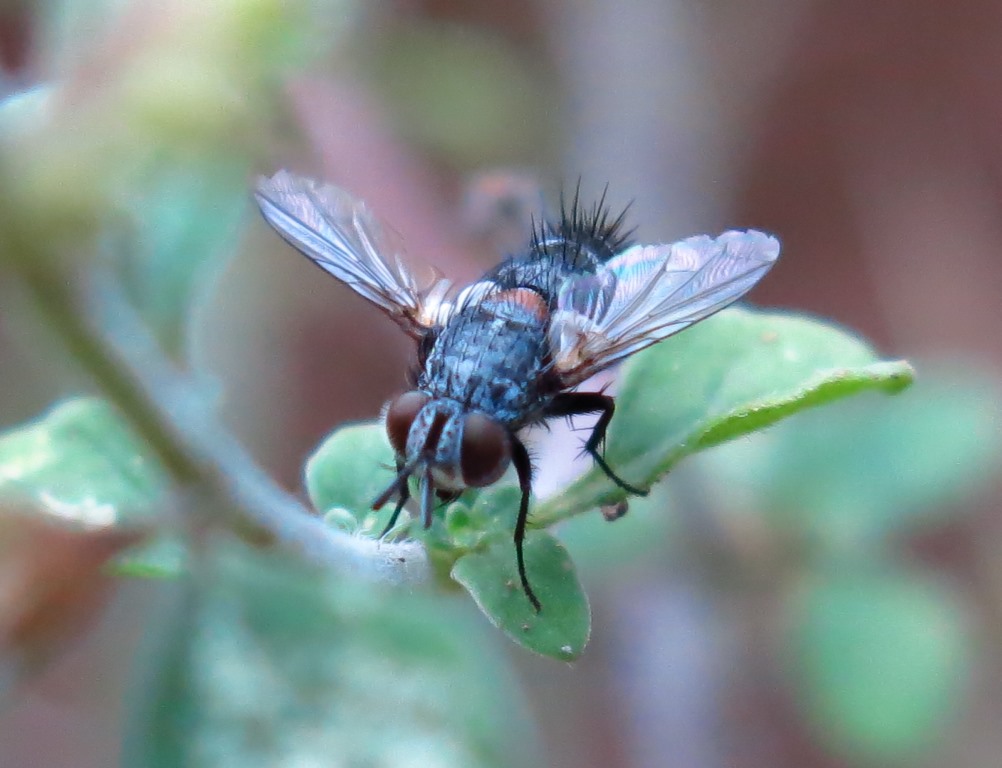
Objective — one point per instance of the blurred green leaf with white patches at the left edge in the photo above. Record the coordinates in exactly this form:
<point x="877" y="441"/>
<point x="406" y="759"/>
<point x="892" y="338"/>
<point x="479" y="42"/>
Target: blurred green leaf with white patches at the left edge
<point x="81" y="463"/>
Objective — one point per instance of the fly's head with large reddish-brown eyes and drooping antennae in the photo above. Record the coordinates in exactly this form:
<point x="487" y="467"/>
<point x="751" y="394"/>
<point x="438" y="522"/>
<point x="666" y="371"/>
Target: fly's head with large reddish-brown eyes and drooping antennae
<point x="446" y="447"/>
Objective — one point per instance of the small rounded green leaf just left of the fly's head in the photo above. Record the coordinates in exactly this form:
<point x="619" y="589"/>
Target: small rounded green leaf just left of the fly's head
<point x="350" y="469"/>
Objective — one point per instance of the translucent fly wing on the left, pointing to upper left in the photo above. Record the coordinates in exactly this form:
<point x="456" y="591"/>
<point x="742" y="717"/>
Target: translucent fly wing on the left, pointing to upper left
<point x="340" y="235"/>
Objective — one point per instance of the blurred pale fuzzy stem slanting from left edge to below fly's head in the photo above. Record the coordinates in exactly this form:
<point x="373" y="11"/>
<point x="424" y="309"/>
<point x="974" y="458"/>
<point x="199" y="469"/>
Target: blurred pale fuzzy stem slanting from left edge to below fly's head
<point x="106" y="335"/>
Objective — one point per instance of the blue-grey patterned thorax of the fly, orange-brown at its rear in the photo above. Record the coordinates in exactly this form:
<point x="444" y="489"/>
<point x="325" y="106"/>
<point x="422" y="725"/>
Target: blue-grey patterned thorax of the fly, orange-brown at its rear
<point x="491" y="357"/>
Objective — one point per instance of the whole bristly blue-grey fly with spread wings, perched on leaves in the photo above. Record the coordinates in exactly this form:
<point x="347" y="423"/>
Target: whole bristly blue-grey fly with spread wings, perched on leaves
<point x="508" y="351"/>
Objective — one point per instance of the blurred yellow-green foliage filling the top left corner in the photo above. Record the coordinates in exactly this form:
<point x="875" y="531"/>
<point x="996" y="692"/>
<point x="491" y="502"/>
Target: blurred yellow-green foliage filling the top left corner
<point x="138" y="155"/>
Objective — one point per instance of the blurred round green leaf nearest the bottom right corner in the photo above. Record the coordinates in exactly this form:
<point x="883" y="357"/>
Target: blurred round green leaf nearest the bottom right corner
<point x="882" y="662"/>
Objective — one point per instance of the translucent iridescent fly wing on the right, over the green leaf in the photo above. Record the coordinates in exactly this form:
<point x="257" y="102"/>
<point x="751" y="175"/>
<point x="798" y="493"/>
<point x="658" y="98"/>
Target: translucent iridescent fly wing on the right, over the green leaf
<point x="649" y="293"/>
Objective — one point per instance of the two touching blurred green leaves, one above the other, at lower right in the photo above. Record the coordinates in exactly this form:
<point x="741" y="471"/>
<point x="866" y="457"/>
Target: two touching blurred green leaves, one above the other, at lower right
<point x="880" y="653"/>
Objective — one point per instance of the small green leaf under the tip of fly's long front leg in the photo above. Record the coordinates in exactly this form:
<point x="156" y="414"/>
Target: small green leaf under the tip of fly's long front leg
<point x="490" y="575"/>
